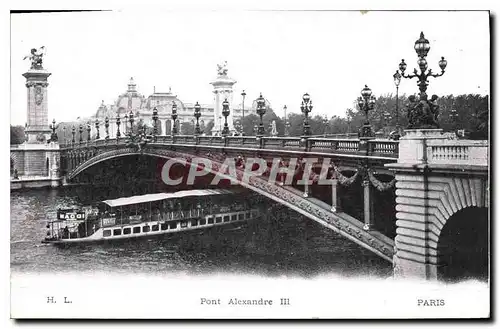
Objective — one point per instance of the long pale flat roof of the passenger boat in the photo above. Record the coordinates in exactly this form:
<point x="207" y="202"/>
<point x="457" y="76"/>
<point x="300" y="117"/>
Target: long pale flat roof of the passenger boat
<point x="163" y="196"/>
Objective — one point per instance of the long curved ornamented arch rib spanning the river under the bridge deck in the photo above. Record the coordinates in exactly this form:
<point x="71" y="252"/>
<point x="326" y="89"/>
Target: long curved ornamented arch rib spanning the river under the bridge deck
<point x="338" y="222"/>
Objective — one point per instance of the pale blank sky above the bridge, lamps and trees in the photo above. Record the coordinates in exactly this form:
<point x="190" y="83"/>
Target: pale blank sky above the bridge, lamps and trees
<point x="329" y="54"/>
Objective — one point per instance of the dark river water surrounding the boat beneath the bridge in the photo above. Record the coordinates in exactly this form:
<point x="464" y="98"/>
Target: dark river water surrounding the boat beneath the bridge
<point x="286" y="244"/>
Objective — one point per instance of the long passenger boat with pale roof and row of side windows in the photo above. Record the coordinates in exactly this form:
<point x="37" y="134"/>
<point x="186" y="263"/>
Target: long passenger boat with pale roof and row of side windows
<point x="152" y="215"/>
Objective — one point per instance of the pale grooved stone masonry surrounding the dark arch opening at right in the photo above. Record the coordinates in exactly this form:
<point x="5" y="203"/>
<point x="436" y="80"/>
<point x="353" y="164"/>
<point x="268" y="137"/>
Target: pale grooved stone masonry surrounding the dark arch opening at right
<point x="424" y="207"/>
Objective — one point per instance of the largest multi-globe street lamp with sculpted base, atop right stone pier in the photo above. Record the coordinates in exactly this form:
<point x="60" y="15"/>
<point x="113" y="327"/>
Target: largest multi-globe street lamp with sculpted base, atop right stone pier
<point x="423" y="113"/>
